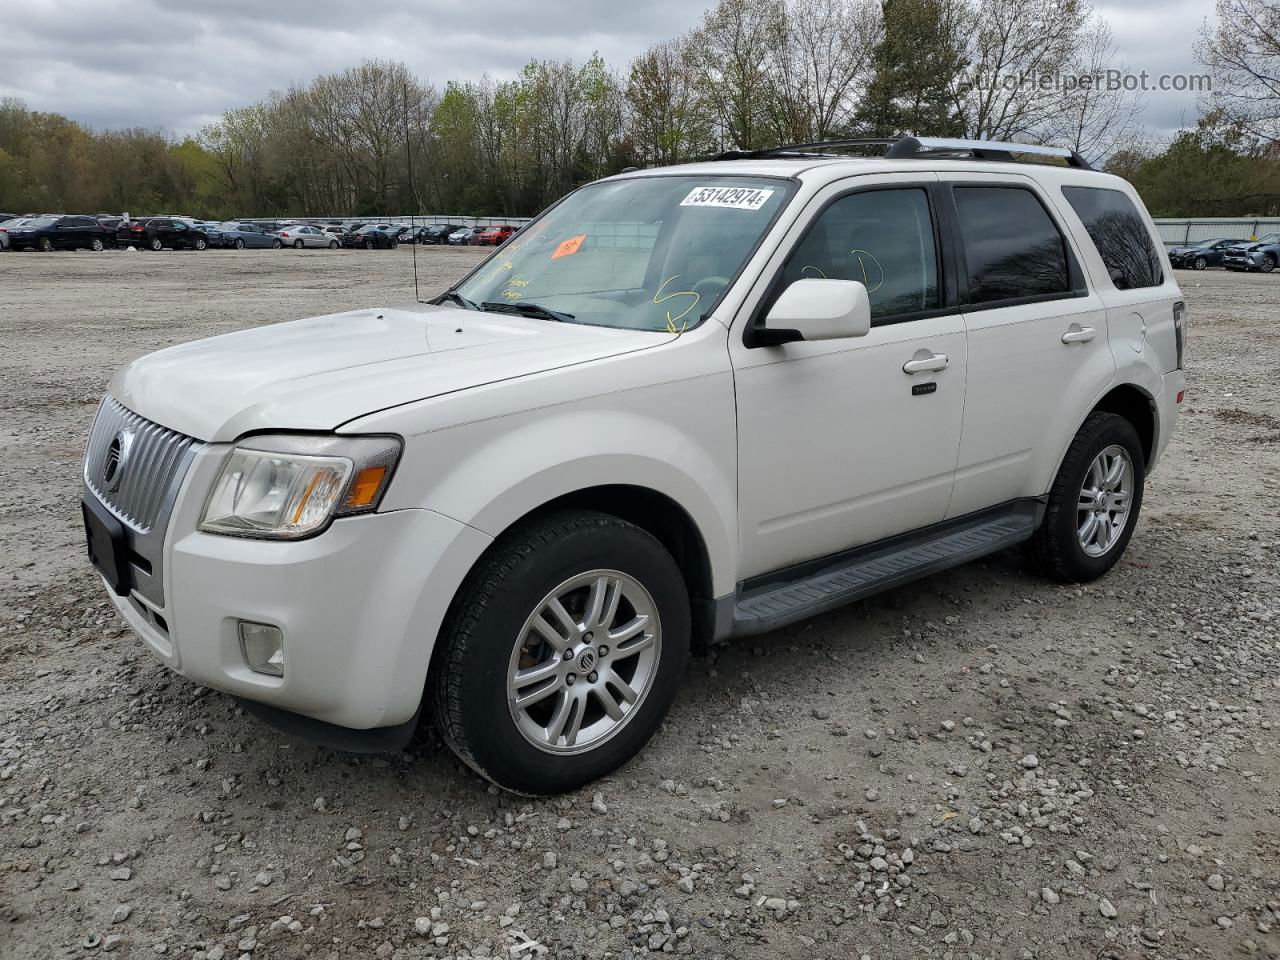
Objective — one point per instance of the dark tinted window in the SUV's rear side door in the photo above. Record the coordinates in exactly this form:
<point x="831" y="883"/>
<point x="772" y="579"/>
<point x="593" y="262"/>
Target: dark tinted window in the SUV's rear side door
<point x="1012" y="246"/>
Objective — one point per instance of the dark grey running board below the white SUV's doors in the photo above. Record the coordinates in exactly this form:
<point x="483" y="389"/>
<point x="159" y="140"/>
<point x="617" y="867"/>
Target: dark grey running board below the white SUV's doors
<point x="778" y="600"/>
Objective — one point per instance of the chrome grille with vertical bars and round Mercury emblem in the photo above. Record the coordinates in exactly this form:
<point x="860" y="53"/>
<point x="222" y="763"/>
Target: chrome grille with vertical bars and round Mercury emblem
<point x="134" y="465"/>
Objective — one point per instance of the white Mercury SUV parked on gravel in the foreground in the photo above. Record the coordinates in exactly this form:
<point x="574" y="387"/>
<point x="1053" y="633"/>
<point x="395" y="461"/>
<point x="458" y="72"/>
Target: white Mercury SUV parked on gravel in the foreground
<point x="683" y="405"/>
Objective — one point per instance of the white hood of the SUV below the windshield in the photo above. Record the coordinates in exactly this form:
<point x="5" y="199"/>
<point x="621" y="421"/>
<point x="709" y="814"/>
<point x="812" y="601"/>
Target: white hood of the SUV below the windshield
<point x="321" y="373"/>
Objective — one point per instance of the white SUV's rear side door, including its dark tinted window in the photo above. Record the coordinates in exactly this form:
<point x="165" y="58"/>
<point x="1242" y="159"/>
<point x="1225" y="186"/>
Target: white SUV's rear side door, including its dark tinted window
<point x="1037" y="339"/>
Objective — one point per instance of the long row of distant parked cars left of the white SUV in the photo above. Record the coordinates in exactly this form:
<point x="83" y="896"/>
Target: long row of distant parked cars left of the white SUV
<point x="76" y="232"/>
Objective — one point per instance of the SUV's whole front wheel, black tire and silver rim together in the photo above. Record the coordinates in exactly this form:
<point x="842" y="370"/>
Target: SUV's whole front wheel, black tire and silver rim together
<point x="563" y="653"/>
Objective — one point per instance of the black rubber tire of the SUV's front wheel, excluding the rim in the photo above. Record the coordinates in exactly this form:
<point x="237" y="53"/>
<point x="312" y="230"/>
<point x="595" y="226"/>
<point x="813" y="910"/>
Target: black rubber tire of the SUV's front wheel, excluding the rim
<point x="468" y="687"/>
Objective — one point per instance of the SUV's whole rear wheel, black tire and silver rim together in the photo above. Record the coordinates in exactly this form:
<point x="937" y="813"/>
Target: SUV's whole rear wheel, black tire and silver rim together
<point x="1095" y="501"/>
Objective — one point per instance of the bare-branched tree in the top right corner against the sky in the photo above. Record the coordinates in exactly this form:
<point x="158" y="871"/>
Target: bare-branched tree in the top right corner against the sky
<point x="1244" y="53"/>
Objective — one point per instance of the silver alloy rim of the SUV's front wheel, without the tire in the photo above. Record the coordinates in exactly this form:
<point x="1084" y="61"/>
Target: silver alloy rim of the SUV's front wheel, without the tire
<point x="584" y="662"/>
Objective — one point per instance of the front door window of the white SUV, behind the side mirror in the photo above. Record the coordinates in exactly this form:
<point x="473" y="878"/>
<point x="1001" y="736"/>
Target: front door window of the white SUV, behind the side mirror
<point x="881" y="237"/>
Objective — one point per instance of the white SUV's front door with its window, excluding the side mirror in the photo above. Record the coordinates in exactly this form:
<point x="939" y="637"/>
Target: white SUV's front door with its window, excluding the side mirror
<point x="847" y="442"/>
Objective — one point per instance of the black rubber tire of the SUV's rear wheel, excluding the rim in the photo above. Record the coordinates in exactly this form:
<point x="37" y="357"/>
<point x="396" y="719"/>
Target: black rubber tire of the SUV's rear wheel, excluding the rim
<point x="1057" y="546"/>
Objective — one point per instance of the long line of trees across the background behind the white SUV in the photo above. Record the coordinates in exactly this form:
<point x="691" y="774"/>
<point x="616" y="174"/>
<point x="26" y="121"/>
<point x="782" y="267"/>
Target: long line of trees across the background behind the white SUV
<point x="753" y="74"/>
